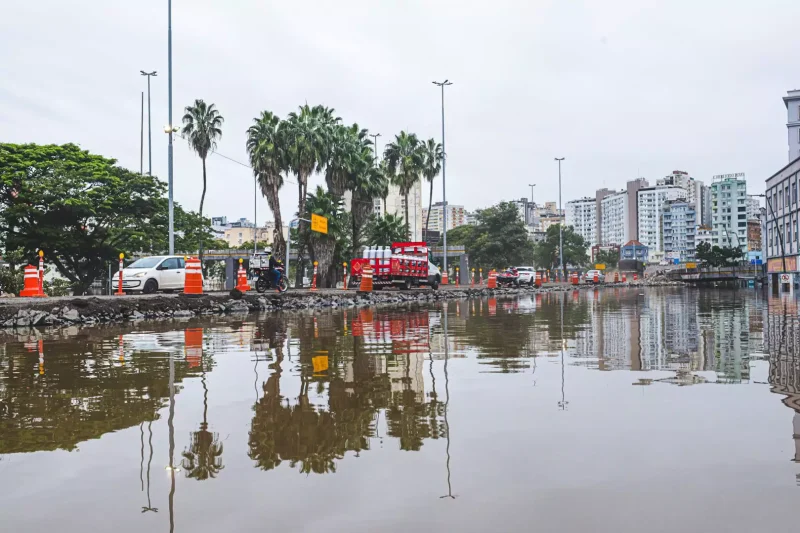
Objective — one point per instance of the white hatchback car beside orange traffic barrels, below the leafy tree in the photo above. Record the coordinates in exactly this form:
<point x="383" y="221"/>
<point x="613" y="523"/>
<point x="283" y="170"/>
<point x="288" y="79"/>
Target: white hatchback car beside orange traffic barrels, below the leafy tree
<point x="150" y="274"/>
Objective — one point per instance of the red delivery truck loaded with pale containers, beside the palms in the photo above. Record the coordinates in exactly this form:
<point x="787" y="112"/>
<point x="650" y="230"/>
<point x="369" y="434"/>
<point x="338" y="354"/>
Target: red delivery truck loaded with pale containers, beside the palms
<point x="404" y="264"/>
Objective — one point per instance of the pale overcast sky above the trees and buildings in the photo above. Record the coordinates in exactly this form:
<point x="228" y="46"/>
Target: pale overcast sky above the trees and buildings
<point x="620" y="88"/>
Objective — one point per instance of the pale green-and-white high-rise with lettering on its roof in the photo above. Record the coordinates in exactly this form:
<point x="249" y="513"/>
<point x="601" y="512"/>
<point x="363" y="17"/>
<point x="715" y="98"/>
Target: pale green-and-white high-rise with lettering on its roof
<point x="729" y="211"/>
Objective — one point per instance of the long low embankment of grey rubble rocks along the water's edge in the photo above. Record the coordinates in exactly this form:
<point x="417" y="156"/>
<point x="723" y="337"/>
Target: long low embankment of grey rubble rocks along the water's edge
<point x="92" y="310"/>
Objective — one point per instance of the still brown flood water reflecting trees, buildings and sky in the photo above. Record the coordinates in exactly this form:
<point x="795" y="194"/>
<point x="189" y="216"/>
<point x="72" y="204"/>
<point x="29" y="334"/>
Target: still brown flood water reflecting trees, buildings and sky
<point x="620" y="410"/>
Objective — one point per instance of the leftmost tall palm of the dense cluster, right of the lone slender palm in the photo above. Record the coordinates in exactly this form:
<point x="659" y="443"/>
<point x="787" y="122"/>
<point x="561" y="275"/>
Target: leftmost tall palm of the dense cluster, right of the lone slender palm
<point x="268" y="159"/>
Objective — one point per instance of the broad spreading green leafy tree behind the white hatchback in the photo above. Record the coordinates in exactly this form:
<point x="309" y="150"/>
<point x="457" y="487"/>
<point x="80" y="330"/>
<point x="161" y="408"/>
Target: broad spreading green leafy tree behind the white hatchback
<point x="82" y="210"/>
